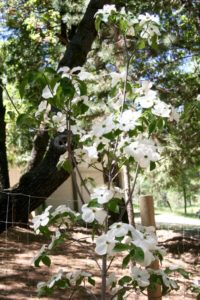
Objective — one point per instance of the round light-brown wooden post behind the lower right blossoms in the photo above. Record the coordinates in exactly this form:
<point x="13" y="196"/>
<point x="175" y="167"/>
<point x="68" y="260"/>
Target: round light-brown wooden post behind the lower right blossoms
<point x="148" y="219"/>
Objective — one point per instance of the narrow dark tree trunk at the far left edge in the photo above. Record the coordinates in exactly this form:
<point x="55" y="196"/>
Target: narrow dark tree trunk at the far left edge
<point x="4" y="176"/>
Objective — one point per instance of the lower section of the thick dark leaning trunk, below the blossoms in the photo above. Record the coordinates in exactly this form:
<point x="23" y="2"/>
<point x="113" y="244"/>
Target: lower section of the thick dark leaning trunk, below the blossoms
<point x="38" y="183"/>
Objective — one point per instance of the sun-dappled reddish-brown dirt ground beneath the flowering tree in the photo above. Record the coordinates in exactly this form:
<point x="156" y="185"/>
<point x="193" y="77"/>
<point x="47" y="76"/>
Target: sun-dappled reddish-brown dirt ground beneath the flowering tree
<point x="18" y="277"/>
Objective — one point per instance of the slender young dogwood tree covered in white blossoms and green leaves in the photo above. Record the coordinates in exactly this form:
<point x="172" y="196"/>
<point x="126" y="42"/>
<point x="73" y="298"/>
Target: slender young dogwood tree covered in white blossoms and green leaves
<point x="125" y="136"/>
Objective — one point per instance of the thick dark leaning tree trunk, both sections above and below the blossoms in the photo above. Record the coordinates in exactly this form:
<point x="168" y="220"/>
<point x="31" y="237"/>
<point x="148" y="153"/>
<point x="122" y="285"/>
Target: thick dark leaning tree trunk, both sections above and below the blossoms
<point x="43" y="179"/>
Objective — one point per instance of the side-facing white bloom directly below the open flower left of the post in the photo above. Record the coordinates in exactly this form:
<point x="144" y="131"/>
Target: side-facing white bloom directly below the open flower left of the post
<point x="89" y="214"/>
